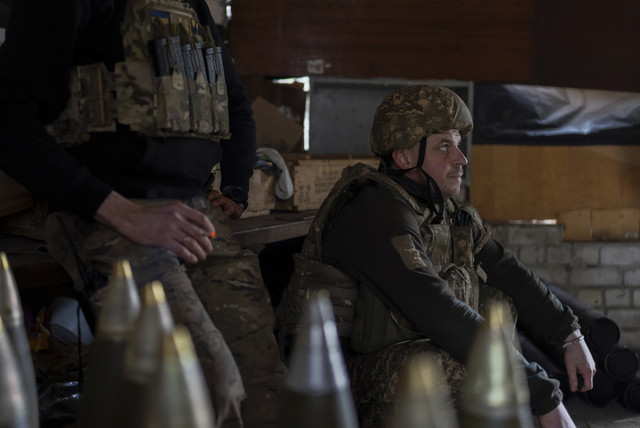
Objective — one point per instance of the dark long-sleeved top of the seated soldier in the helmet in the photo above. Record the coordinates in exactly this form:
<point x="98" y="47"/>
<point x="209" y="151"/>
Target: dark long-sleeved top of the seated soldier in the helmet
<point x="358" y="242"/>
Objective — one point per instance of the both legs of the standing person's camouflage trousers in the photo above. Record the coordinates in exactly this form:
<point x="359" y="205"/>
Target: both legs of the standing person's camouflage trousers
<point x="221" y="300"/>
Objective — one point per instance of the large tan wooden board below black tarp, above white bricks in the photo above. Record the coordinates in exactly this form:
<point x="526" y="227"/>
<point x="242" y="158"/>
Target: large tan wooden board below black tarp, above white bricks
<point x="537" y="182"/>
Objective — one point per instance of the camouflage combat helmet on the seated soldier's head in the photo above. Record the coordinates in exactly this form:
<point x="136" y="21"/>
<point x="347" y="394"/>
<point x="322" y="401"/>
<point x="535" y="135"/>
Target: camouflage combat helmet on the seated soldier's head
<point x="414" y="112"/>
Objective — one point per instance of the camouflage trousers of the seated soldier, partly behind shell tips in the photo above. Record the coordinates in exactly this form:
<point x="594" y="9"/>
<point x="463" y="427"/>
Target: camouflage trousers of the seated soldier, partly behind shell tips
<point x="376" y="376"/>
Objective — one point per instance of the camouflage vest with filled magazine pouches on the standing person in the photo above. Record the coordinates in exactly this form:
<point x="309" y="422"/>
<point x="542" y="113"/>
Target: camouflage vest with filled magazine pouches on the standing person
<point x="171" y="82"/>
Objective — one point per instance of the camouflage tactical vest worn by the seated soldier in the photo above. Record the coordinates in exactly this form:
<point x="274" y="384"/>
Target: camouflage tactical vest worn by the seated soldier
<point x="364" y="315"/>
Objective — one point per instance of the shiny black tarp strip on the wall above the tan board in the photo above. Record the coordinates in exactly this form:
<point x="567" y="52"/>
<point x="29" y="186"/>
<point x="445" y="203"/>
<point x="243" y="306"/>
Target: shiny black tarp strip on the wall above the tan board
<point x="536" y="115"/>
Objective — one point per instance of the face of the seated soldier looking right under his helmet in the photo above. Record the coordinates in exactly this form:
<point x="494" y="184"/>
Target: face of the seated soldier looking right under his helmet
<point x="444" y="161"/>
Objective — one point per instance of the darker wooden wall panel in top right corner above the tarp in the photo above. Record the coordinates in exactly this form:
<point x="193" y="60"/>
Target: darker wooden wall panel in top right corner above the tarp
<point x="587" y="44"/>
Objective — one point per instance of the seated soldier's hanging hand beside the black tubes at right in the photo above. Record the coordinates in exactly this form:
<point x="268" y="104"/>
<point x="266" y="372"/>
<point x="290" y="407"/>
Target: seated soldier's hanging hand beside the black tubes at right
<point x="579" y="363"/>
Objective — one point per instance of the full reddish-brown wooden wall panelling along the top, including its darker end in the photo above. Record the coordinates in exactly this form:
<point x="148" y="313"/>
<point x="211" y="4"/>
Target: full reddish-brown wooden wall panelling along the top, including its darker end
<point x="569" y="43"/>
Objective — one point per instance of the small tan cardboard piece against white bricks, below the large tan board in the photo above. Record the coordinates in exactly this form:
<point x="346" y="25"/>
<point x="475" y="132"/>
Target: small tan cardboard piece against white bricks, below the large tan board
<point x="601" y="225"/>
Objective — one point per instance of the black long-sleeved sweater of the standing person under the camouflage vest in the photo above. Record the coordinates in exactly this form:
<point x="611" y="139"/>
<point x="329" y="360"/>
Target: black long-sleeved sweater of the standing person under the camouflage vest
<point x="44" y="40"/>
